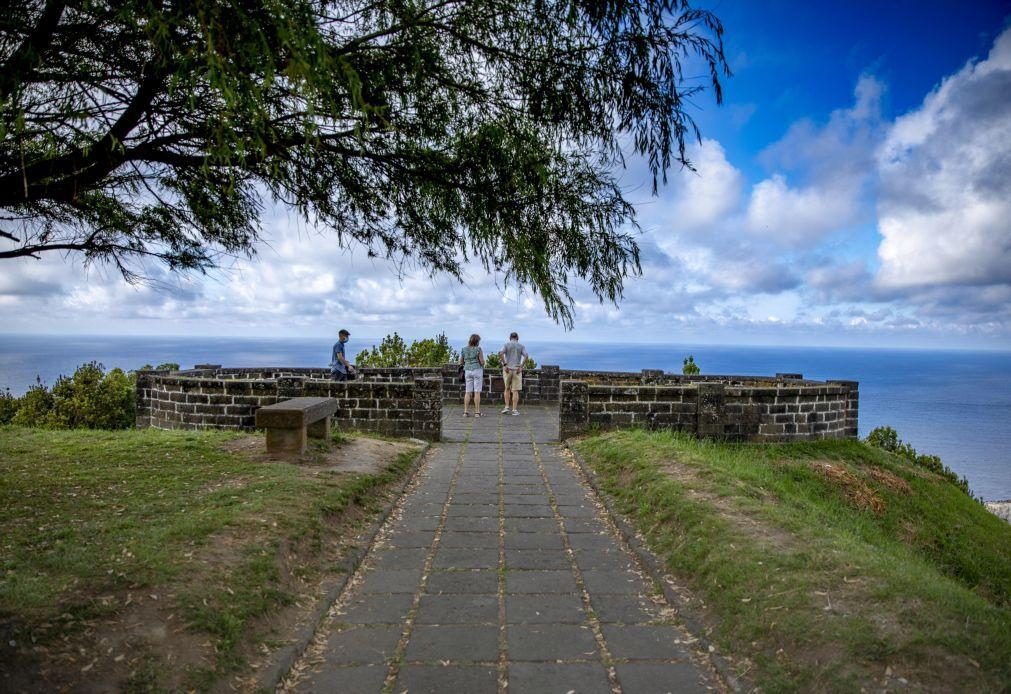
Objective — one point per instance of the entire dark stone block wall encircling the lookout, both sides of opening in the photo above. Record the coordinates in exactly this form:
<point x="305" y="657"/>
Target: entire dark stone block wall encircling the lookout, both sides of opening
<point x="409" y="402"/>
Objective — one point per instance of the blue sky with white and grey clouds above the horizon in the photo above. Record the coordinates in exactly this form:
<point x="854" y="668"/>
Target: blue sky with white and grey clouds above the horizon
<point x="854" y="190"/>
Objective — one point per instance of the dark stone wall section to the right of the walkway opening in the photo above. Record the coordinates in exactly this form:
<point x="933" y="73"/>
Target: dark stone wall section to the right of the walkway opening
<point x="784" y="408"/>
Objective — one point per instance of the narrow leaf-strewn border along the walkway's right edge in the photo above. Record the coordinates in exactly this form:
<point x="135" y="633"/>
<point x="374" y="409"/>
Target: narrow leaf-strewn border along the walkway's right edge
<point x="656" y="569"/>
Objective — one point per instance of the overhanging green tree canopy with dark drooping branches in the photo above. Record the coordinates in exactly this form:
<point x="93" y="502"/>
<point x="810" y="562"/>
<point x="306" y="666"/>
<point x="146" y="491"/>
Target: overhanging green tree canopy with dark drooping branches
<point x="433" y="132"/>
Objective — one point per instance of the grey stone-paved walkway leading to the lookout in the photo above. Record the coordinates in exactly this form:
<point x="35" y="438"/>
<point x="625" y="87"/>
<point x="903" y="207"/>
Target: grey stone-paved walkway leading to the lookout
<point x="499" y="574"/>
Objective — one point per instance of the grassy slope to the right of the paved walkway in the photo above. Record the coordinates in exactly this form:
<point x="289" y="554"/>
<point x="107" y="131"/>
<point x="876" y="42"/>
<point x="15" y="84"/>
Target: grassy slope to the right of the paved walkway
<point x="831" y="565"/>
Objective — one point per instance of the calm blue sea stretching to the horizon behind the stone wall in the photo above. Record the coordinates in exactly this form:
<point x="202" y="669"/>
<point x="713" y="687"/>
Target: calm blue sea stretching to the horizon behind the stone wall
<point x="953" y="404"/>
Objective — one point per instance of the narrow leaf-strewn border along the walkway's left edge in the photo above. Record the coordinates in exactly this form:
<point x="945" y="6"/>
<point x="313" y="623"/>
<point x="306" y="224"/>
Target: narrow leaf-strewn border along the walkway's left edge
<point x="283" y="661"/>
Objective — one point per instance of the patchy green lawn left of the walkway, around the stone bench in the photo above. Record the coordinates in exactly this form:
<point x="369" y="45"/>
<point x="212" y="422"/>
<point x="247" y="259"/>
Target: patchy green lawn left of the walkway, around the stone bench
<point x="87" y="517"/>
